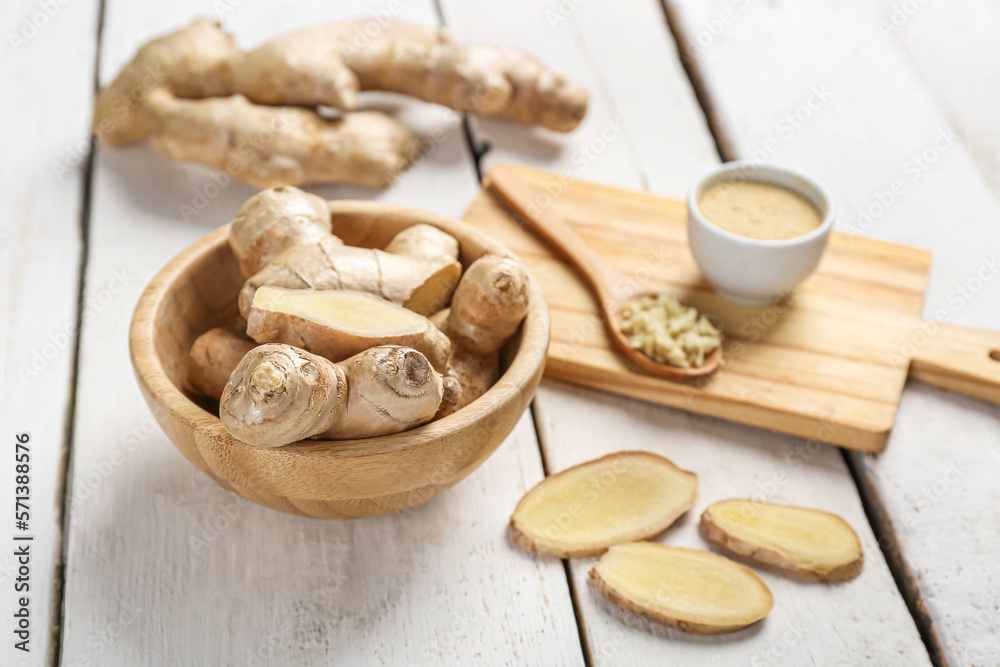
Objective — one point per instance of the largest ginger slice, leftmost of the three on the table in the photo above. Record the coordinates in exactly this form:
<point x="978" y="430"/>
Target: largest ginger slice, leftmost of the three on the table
<point x="619" y="498"/>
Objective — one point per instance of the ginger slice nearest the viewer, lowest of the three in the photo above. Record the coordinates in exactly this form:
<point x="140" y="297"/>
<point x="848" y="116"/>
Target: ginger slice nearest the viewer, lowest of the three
<point x="691" y="590"/>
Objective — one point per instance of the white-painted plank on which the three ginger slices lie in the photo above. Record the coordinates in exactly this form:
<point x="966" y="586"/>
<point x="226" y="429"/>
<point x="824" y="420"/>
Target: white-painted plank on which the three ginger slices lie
<point x="625" y="54"/>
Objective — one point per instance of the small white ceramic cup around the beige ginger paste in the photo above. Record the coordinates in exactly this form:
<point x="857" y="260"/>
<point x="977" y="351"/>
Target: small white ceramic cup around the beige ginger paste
<point x="754" y="272"/>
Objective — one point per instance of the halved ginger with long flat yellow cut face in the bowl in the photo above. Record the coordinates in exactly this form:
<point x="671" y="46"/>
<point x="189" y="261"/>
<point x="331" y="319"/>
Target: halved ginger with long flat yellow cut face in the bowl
<point x="338" y="324"/>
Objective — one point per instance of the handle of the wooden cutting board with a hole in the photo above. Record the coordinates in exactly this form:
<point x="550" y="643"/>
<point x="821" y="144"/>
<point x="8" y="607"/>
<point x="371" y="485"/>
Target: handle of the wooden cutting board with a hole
<point x="959" y="359"/>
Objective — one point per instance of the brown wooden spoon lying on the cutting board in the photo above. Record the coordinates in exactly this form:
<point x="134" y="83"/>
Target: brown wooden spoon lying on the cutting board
<point x="604" y="281"/>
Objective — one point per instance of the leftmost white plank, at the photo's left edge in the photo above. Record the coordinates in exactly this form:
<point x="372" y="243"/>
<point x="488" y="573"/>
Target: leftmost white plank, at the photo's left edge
<point x="47" y="73"/>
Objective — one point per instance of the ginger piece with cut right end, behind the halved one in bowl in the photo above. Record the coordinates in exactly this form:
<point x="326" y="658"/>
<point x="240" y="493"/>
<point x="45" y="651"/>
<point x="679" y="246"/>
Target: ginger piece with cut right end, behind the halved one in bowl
<point x="420" y="285"/>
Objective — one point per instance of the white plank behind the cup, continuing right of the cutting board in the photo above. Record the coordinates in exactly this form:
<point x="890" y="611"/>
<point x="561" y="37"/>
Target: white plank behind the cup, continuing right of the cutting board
<point x="883" y="146"/>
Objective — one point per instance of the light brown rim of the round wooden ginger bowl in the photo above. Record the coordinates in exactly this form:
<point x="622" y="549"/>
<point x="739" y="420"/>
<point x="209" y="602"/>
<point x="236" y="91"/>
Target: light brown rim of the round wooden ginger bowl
<point x="151" y="373"/>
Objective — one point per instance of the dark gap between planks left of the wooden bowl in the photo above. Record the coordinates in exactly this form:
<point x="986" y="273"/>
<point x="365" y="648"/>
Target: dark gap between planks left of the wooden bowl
<point x="65" y="453"/>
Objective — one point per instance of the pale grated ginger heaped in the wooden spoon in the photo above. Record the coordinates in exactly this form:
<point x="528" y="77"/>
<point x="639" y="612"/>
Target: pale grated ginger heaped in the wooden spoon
<point x="667" y="331"/>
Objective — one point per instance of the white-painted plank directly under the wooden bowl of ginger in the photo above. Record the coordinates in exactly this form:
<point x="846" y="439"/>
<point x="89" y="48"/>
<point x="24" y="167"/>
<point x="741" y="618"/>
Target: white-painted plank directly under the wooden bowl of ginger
<point x="162" y="562"/>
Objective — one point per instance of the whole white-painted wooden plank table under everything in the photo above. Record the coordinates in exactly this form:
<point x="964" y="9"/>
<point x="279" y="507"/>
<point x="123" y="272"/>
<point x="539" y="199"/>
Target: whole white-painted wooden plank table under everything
<point x="138" y="559"/>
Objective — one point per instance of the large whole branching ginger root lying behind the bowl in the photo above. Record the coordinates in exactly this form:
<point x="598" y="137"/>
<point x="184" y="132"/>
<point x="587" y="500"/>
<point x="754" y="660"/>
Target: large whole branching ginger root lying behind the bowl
<point x="198" y="97"/>
